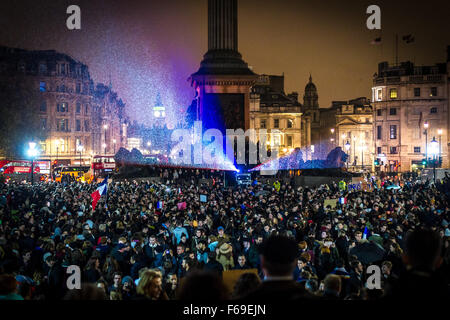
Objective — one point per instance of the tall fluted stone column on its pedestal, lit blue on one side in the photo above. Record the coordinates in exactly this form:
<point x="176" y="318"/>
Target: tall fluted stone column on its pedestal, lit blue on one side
<point x="223" y="82"/>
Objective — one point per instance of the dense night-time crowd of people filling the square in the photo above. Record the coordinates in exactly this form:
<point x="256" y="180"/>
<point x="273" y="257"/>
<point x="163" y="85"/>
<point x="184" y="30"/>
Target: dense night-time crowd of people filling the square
<point x="174" y="239"/>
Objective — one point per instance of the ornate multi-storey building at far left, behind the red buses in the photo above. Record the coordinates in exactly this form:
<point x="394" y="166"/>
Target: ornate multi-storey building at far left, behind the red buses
<point x="78" y="117"/>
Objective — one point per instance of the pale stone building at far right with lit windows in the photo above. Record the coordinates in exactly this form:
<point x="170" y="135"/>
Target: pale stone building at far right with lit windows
<point x="411" y="108"/>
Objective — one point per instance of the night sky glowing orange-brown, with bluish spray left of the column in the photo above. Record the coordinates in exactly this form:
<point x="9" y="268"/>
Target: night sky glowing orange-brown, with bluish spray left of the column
<point x="150" y="46"/>
